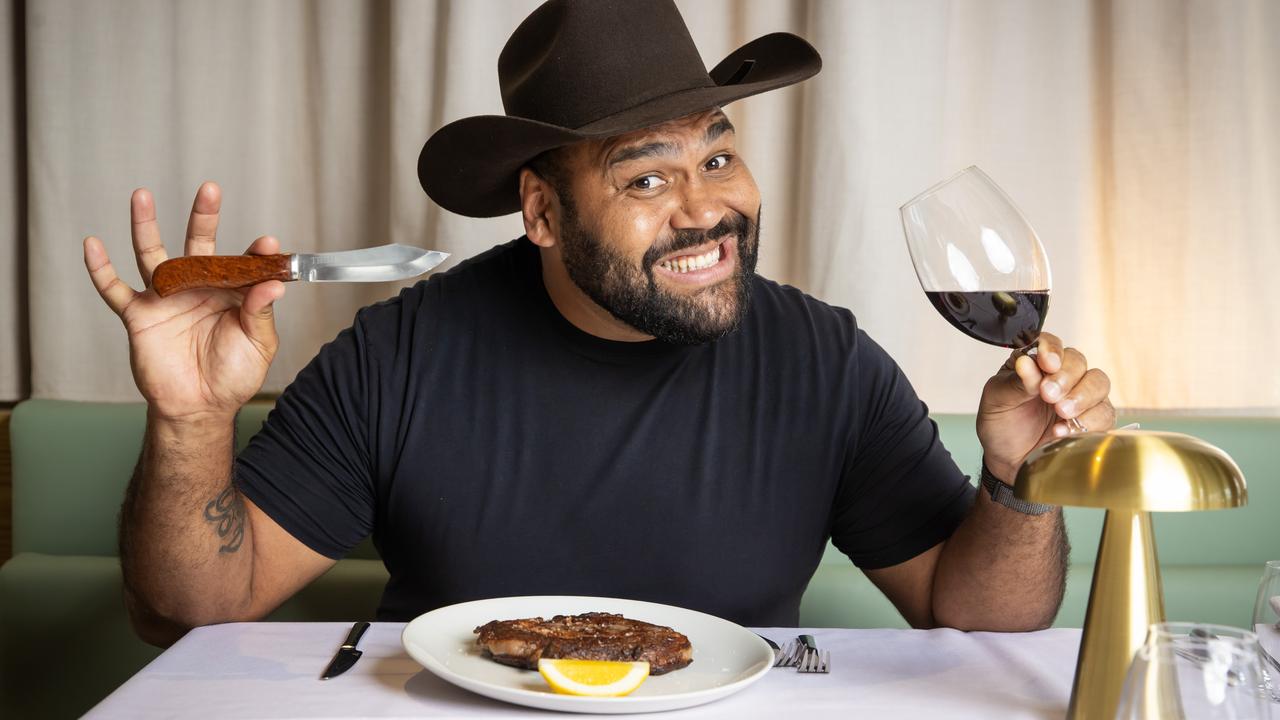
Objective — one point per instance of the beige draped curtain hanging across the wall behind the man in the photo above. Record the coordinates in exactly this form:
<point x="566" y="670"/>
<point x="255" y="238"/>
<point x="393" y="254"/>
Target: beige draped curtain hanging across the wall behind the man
<point x="1140" y="138"/>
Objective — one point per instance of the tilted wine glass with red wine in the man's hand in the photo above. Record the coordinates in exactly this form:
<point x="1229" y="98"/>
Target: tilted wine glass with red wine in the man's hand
<point x="980" y="262"/>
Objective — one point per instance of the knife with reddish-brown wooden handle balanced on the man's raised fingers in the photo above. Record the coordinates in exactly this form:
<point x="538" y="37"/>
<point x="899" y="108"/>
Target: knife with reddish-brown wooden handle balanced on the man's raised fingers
<point x="371" y="265"/>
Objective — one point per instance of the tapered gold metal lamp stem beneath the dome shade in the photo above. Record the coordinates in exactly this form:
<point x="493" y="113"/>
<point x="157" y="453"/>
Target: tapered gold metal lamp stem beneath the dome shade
<point x="1127" y="598"/>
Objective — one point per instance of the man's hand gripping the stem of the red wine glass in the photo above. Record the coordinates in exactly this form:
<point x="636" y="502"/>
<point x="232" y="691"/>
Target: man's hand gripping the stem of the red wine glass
<point x="1030" y="400"/>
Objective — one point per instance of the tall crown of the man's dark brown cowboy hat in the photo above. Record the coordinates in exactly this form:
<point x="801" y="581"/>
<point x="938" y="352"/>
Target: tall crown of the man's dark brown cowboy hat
<point x="574" y="62"/>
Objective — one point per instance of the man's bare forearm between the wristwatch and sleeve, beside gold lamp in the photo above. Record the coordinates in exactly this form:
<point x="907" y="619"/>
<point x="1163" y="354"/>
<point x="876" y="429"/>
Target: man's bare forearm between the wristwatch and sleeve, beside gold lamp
<point x="1002" y="571"/>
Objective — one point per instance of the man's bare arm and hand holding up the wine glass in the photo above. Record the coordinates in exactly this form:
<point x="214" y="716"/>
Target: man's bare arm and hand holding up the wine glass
<point x="1003" y="569"/>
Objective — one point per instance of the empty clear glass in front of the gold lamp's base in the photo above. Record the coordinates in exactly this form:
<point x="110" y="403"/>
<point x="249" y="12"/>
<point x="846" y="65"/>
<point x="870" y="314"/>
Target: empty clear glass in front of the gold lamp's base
<point x="1195" y="671"/>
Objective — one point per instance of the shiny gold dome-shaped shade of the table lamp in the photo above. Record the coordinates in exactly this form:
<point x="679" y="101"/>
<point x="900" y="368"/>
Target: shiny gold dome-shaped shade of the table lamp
<point x="1135" y="471"/>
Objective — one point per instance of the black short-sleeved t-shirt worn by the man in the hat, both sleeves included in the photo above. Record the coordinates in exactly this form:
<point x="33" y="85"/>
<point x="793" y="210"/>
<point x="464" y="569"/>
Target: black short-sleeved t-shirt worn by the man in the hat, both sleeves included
<point x="493" y="449"/>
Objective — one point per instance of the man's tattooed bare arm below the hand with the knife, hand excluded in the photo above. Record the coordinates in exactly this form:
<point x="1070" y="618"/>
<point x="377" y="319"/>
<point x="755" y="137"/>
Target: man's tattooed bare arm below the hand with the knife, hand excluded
<point x="193" y="549"/>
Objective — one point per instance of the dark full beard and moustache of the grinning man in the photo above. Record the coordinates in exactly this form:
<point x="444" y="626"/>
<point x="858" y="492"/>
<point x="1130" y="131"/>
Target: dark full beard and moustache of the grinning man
<point x="632" y="294"/>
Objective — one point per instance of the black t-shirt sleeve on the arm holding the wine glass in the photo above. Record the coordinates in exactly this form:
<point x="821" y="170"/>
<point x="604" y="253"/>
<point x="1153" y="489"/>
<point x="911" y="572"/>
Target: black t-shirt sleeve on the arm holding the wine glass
<point x="902" y="493"/>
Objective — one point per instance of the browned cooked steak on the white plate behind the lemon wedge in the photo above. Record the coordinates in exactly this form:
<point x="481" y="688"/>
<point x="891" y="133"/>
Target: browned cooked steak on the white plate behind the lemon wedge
<point x="591" y="636"/>
